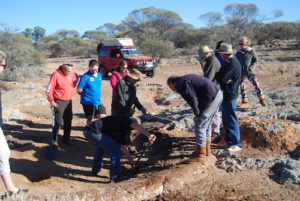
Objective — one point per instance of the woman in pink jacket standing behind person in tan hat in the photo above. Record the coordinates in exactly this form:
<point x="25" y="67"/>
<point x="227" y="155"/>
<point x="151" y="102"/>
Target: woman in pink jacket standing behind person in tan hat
<point x="117" y="75"/>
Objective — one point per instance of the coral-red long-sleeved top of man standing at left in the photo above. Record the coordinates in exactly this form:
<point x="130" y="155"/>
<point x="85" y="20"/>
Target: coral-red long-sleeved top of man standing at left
<point x="61" y="87"/>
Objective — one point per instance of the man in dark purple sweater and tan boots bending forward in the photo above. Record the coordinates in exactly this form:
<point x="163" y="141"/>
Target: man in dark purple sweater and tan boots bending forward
<point x="205" y="98"/>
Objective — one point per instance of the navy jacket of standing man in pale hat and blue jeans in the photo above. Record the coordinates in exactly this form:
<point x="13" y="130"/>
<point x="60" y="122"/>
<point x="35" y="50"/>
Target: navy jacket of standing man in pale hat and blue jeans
<point x="230" y="70"/>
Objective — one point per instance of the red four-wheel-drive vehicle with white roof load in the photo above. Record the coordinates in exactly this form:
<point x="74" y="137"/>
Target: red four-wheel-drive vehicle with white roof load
<point x="111" y="52"/>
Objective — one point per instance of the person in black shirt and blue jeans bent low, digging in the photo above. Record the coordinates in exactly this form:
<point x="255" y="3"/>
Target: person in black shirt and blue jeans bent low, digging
<point x="108" y="134"/>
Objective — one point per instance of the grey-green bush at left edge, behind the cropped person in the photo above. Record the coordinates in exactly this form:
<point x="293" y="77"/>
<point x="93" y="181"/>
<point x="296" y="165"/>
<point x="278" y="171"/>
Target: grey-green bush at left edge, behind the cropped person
<point x="22" y="59"/>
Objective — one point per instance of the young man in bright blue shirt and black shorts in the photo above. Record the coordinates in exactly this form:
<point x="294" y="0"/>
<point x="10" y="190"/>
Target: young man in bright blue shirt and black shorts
<point x="89" y="88"/>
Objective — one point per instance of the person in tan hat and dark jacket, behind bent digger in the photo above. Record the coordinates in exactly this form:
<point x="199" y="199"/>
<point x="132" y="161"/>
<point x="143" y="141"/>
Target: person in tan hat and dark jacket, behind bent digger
<point x="125" y="97"/>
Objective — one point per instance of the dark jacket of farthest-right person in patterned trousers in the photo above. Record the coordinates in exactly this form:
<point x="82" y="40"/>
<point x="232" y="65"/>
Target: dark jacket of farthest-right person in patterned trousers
<point x="248" y="59"/>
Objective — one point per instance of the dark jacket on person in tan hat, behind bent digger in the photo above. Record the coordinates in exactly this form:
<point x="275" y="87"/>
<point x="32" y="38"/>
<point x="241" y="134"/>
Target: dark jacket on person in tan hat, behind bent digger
<point x="125" y="97"/>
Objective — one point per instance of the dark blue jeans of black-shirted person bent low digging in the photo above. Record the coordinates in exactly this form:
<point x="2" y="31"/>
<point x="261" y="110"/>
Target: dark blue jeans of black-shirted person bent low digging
<point x="104" y="142"/>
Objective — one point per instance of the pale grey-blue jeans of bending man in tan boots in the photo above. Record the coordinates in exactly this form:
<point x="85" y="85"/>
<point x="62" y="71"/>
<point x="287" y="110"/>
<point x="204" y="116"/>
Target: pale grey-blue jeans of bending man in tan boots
<point x="203" y="123"/>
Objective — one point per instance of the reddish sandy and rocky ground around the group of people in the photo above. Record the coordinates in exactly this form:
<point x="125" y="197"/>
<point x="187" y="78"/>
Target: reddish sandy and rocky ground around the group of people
<point x="266" y="169"/>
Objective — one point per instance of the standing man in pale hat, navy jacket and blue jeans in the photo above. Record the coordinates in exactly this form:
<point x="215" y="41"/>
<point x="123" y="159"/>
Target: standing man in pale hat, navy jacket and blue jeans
<point x="229" y="78"/>
